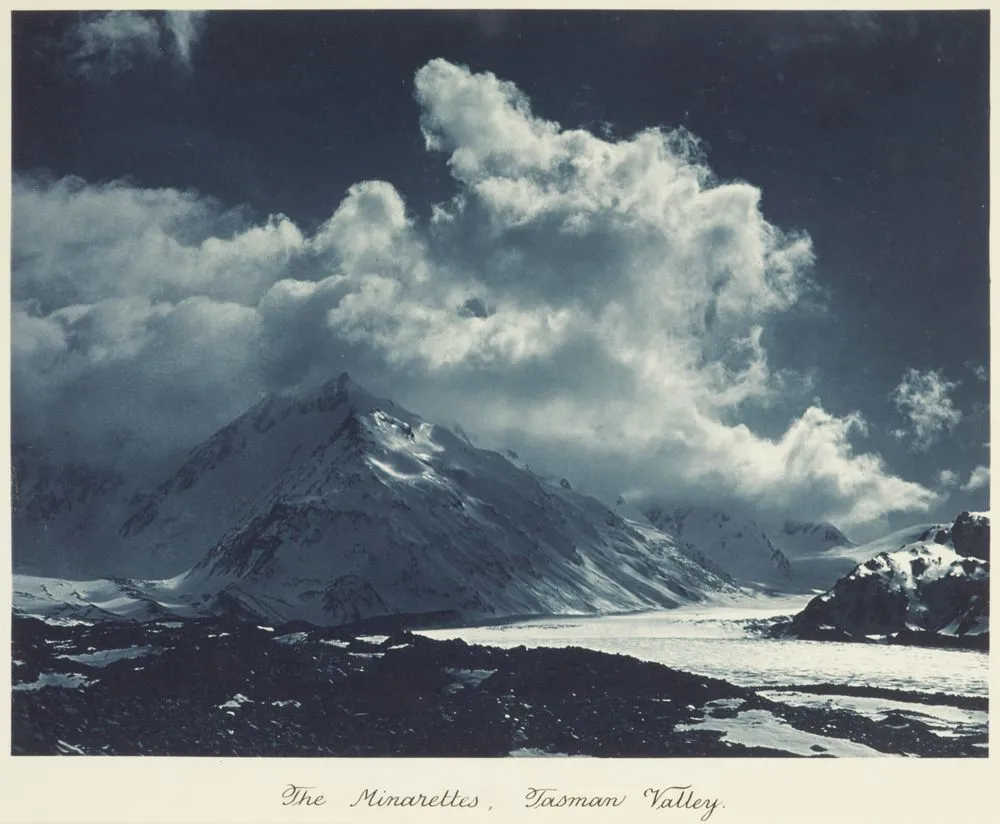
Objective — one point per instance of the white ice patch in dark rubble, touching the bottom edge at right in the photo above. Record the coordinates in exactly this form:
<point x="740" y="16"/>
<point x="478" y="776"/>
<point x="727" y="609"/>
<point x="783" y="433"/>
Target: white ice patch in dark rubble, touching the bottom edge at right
<point x="760" y="728"/>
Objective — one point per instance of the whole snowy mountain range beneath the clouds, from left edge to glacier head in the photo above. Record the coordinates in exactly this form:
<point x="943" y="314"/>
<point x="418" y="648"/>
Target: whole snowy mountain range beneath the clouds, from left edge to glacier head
<point x="338" y="506"/>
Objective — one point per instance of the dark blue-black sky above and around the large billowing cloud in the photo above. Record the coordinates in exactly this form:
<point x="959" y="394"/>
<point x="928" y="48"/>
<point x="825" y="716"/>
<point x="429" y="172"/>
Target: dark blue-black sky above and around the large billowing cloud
<point x="867" y="132"/>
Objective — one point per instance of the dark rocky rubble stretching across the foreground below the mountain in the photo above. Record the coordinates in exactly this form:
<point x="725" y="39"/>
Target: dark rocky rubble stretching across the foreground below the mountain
<point x="216" y="688"/>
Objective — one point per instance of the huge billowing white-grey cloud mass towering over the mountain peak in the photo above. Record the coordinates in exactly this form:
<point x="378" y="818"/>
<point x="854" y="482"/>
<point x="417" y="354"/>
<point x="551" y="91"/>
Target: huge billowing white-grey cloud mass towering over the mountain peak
<point x="599" y="305"/>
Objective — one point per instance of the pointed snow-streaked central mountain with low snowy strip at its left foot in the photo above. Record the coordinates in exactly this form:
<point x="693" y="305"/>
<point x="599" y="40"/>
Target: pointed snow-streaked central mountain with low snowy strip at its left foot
<point x="342" y="506"/>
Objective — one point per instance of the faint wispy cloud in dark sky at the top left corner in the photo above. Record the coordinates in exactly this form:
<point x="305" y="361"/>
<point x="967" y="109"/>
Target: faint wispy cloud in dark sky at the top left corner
<point x="108" y="43"/>
